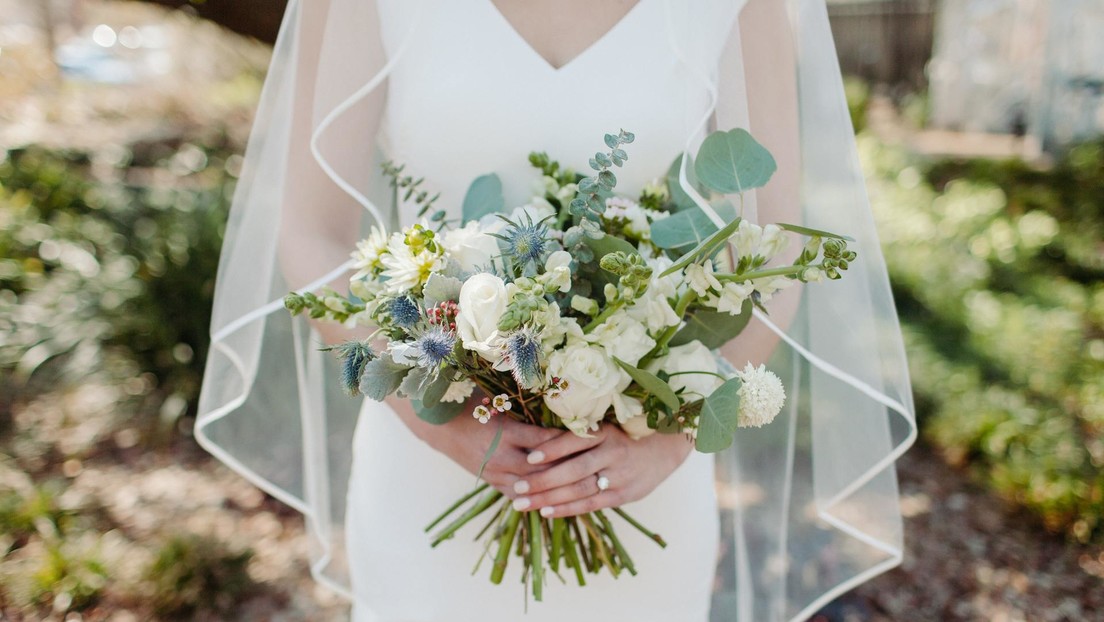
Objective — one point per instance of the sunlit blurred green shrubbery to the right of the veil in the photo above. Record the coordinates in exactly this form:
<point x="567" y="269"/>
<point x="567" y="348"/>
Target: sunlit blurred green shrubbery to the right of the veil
<point x="999" y="270"/>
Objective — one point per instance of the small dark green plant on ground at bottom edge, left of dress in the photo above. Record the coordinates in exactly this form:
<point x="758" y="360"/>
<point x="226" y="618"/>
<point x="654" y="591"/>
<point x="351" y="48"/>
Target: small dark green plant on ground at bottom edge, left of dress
<point x="194" y="575"/>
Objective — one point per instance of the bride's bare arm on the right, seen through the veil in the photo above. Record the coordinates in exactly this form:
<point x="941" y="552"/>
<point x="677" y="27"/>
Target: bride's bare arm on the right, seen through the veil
<point x="771" y="79"/>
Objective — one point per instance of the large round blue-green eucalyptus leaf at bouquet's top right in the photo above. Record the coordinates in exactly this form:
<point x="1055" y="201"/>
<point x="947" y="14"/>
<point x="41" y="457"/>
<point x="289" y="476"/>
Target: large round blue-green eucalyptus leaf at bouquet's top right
<point x="734" y="162"/>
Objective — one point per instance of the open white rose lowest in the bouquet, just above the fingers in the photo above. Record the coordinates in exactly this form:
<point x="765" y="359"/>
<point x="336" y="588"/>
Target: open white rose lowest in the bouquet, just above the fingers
<point x="593" y="381"/>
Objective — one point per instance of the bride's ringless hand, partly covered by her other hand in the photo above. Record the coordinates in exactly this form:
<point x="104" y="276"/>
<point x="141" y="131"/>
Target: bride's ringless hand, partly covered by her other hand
<point x="466" y="442"/>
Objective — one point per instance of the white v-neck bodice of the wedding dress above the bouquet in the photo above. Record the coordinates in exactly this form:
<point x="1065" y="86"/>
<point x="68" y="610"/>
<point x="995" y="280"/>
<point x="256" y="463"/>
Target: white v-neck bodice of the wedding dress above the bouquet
<point x="471" y="97"/>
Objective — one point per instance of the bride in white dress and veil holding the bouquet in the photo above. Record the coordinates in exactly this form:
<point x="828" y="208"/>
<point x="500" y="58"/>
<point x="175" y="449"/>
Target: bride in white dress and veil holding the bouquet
<point x="792" y="516"/>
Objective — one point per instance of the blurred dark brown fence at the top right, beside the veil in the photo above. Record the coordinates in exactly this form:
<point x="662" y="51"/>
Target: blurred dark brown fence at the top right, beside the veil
<point x="885" y="41"/>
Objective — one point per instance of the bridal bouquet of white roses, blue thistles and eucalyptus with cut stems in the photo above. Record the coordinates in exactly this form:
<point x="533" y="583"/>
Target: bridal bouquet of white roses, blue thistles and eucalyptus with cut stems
<point x="582" y="309"/>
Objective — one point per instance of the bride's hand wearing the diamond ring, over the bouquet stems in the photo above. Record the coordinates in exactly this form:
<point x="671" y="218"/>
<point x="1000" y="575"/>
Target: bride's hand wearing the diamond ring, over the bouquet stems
<point x="569" y="487"/>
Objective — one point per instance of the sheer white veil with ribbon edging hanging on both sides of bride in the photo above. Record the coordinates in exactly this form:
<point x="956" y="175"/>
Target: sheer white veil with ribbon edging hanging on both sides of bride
<point x="810" y="503"/>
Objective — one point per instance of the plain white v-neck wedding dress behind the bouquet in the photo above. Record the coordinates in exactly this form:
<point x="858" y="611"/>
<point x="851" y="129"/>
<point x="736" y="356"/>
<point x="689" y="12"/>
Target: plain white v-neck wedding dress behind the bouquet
<point x="482" y="108"/>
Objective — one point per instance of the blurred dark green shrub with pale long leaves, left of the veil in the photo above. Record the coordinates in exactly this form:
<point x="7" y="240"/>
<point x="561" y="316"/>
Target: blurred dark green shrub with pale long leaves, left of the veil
<point x="111" y="255"/>
